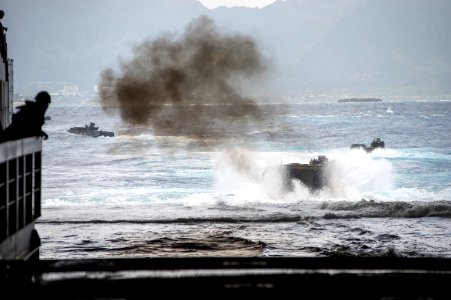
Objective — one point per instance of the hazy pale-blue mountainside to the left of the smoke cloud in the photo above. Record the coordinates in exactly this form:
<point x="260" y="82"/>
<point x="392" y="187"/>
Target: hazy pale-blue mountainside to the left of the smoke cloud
<point x="55" y="40"/>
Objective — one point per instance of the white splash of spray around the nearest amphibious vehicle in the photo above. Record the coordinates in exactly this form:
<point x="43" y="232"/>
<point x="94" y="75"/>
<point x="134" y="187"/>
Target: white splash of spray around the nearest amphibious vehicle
<point x="354" y="175"/>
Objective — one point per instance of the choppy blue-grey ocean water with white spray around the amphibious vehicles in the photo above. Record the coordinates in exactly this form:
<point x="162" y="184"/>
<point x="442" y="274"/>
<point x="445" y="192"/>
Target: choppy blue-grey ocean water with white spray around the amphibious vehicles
<point x="142" y="195"/>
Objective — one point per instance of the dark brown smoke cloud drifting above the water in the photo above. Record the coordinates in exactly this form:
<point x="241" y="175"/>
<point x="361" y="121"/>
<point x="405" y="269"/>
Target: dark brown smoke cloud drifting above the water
<point x="184" y="86"/>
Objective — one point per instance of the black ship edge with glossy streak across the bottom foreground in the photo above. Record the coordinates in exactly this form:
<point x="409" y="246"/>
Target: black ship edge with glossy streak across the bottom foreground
<point x="305" y="278"/>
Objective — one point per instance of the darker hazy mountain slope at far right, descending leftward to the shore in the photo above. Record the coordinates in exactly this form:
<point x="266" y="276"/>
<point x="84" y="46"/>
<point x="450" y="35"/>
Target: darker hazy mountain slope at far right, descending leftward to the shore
<point x="395" y="47"/>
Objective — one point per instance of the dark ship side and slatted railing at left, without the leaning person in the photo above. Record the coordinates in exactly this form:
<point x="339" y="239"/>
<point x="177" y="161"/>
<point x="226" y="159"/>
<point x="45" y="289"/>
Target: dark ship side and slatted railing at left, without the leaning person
<point x="20" y="175"/>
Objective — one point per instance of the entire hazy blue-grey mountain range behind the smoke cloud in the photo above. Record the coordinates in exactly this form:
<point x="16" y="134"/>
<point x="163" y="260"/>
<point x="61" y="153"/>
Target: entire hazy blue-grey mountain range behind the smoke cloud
<point x="384" y="47"/>
